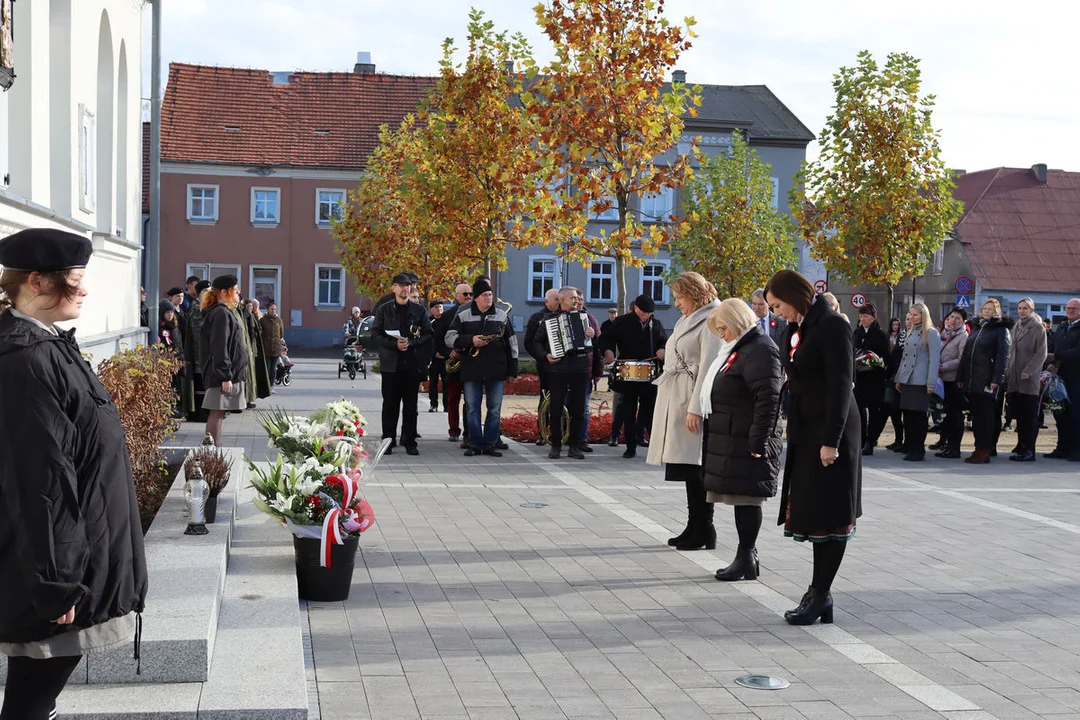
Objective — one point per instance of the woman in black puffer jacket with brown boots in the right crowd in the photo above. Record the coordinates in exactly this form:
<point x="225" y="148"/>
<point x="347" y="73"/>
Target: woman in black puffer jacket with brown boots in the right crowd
<point x="982" y="377"/>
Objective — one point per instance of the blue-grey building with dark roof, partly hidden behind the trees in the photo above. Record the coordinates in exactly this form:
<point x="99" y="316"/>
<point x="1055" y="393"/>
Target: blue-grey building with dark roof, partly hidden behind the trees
<point x="774" y="131"/>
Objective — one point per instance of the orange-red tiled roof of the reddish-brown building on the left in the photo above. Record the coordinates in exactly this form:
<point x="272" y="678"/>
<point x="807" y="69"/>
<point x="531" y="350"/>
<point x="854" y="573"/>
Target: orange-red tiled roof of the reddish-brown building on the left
<point x="232" y="116"/>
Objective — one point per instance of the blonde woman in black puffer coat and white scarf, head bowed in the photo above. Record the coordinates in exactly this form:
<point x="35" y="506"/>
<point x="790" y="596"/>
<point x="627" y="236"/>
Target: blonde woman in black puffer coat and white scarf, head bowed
<point x="740" y="397"/>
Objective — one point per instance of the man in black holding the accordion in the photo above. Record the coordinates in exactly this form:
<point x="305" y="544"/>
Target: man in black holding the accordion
<point x="568" y="376"/>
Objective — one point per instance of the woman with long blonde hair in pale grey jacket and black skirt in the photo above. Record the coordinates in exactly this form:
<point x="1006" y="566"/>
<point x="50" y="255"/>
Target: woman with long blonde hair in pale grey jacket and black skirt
<point x="917" y="378"/>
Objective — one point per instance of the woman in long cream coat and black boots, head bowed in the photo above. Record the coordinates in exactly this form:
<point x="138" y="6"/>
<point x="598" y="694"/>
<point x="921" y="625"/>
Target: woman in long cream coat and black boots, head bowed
<point x="677" y="420"/>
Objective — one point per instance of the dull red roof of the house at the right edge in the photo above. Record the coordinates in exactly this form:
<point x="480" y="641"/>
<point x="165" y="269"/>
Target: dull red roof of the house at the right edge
<point x="1020" y="234"/>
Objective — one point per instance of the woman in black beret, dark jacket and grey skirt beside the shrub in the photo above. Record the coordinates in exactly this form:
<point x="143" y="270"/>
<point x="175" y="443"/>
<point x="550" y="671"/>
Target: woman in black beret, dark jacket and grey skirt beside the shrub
<point x="224" y="357"/>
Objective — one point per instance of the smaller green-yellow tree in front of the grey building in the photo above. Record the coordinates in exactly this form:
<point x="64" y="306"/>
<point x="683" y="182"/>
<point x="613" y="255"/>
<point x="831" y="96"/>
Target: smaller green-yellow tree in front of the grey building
<point x="736" y="236"/>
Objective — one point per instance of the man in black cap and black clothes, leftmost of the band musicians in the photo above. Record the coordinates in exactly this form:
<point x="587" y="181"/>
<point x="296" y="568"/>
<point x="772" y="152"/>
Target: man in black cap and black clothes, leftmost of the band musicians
<point x="403" y="335"/>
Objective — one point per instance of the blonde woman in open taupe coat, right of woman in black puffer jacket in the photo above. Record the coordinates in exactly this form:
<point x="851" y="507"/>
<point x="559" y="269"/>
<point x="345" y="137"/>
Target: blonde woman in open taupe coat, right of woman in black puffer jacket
<point x="1023" y="376"/>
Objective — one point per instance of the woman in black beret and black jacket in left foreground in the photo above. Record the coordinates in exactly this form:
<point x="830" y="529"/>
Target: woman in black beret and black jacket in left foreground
<point x="71" y="538"/>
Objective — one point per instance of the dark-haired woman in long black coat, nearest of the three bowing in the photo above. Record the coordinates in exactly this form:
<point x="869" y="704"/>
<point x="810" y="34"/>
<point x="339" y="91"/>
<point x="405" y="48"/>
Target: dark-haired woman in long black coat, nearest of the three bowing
<point x="822" y="492"/>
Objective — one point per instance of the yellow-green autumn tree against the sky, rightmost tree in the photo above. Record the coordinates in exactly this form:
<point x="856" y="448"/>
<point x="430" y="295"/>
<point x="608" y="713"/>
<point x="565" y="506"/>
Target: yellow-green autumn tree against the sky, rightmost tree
<point x="881" y="197"/>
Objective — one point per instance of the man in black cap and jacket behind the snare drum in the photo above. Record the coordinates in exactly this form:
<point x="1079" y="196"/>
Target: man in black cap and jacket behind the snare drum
<point x="636" y="336"/>
